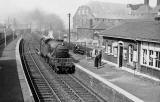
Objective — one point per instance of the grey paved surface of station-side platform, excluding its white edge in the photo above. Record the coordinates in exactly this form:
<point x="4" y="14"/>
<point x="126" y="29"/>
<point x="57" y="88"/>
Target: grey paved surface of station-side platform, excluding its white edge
<point x="142" y="88"/>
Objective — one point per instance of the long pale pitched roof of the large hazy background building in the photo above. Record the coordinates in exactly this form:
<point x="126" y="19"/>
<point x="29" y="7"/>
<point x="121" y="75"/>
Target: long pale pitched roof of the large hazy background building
<point x="107" y="10"/>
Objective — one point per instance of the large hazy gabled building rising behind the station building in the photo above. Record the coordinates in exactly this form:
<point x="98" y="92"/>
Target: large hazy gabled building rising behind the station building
<point x="94" y="16"/>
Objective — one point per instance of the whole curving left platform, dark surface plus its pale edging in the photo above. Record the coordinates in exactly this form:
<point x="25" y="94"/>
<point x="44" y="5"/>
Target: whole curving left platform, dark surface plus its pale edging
<point x="13" y="85"/>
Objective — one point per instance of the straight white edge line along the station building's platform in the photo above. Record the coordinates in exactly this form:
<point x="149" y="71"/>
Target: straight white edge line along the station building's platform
<point x="118" y="89"/>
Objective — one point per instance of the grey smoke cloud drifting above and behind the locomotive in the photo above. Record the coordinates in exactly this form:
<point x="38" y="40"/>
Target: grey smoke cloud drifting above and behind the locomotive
<point x="40" y="18"/>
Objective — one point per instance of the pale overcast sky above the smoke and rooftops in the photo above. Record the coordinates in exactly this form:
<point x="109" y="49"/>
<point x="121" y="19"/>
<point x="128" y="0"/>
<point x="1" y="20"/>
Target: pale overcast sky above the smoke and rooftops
<point x="60" y="7"/>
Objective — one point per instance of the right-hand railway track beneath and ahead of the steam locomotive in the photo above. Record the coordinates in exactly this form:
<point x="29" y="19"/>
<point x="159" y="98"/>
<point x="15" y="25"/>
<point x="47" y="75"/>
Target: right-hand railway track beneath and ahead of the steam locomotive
<point x="75" y="89"/>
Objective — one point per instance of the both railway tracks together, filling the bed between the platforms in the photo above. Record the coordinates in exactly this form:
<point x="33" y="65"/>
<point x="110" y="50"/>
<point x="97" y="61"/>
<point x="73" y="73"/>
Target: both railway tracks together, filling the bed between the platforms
<point x="48" y="86"/>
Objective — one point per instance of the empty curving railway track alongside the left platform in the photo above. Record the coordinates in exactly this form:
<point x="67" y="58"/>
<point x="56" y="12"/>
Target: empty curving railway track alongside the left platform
<point x="41" y="88"/>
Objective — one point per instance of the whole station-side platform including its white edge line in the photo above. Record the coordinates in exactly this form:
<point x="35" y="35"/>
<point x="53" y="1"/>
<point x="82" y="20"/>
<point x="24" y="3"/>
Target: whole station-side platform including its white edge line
<point x="135" y="87"/>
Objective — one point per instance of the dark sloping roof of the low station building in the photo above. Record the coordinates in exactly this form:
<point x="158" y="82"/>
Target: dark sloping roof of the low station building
<point x="142" y="31"/>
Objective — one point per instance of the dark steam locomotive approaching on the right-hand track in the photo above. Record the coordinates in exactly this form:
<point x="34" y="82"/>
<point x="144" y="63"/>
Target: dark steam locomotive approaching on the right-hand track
<point x="57" y="55"/>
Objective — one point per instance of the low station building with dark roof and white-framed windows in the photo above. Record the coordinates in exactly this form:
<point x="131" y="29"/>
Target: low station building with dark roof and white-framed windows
<point x="134" y="44"/>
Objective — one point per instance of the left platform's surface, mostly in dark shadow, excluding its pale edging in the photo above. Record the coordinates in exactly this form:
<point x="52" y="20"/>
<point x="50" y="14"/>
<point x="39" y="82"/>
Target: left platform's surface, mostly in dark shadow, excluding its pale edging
<point x="10" y="90"/>
